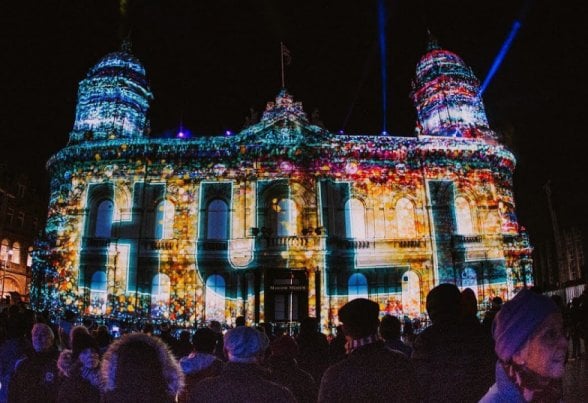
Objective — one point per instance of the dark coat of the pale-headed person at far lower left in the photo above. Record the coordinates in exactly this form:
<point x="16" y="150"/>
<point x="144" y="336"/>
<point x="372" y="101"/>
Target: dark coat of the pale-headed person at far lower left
<point x="36" y="379"/>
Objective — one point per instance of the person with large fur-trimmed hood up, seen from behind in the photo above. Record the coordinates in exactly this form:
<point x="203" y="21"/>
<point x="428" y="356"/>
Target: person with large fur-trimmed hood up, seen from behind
<point x="140" y="368"/>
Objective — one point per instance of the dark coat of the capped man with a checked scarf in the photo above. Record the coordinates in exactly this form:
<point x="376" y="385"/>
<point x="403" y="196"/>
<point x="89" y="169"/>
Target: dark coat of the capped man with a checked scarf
<point x="372" y="373"/>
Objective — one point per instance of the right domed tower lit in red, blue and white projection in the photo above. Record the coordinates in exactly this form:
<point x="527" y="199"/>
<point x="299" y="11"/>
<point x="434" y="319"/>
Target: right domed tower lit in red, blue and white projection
<point x="445" y="93"/>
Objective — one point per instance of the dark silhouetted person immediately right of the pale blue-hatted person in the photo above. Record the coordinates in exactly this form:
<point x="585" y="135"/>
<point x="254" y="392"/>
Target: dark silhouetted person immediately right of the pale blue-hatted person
<point x="285" y="370"/>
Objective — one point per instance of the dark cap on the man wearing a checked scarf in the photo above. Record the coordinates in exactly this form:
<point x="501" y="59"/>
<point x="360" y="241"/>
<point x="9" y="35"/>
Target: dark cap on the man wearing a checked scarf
<point x="360" y="317"/>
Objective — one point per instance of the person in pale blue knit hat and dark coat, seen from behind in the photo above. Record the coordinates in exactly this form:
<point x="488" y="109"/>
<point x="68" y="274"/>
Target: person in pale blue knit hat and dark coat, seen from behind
<point x="242" y="379"/>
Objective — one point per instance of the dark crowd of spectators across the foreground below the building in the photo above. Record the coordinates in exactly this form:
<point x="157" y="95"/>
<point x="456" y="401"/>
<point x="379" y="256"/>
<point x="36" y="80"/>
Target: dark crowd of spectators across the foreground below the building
<point x="517" y="354"/>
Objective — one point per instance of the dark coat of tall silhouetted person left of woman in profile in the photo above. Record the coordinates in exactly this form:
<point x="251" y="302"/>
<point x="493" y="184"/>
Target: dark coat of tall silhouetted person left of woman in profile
<point x="454" y="360"/>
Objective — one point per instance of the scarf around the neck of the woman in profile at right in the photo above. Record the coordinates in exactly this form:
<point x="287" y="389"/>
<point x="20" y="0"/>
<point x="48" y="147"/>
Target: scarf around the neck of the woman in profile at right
<point x="544" y="389"/>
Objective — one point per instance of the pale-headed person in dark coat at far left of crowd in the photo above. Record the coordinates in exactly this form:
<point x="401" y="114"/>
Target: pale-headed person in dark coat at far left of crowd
<point x="36" y="377"/>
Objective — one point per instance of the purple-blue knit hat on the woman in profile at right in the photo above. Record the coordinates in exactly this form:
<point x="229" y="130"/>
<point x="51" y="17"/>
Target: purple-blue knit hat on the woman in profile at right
<point x="518" y="319"/>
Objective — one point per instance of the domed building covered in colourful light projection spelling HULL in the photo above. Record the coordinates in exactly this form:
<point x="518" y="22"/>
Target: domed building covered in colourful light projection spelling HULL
<point x="281" y="220"/>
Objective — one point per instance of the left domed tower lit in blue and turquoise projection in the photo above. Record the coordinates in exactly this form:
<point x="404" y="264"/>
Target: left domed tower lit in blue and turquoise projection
<point x="113" y="99"/>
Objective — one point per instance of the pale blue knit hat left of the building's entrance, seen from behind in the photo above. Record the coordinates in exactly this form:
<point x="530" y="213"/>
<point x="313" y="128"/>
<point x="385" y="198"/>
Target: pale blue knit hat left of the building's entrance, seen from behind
<point x="243" y="344"/>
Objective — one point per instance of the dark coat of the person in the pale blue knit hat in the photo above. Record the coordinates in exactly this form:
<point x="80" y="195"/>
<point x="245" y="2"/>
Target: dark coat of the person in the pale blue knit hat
<point x="240" y="383"/>
